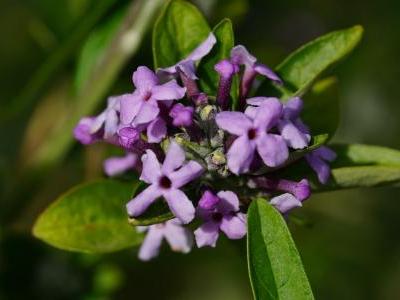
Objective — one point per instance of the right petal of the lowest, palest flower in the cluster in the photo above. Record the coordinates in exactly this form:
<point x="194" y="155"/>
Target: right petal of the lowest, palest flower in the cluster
<point x="178" y="237"/>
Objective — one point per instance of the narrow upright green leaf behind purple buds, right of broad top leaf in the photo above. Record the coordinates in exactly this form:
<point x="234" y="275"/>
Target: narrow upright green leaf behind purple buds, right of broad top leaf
<point x="209" y="78"/>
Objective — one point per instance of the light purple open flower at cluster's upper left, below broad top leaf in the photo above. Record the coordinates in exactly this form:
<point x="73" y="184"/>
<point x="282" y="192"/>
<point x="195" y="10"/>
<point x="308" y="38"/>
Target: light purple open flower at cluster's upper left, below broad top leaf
<point x="141" y="106"/>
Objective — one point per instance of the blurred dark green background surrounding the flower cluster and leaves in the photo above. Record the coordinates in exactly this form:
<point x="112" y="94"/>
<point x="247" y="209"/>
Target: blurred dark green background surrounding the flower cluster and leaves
<point x="349" y="241"/>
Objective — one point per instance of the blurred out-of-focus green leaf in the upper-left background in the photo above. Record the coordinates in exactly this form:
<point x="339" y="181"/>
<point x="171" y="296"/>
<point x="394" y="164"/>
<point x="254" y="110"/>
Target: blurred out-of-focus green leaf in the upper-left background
<point x="95" y="47"/>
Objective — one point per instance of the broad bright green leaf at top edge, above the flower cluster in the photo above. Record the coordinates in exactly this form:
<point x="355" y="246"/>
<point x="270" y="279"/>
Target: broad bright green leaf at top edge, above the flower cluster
<point x="177" y="32"/>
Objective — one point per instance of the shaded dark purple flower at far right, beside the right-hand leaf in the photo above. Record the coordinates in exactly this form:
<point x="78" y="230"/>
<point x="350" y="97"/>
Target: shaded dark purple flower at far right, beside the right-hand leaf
<point x="317" y="160"/>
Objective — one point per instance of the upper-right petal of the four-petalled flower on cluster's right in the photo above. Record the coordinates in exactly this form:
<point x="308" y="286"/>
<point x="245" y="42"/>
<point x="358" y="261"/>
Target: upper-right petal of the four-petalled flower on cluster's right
<point x="268" y="113"/>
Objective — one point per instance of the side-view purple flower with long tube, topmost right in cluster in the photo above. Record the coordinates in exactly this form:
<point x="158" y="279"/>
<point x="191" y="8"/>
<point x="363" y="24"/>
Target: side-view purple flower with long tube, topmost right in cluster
<point x="240" y="56"/>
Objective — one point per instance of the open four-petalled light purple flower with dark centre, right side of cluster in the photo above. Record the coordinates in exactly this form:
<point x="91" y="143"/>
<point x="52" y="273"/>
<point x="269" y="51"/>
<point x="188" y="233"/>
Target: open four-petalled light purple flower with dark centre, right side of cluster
<point x="253" y="134"/>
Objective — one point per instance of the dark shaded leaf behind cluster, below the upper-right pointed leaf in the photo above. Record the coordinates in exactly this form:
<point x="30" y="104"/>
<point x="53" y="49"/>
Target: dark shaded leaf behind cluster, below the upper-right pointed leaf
<point x="321" y="107"/>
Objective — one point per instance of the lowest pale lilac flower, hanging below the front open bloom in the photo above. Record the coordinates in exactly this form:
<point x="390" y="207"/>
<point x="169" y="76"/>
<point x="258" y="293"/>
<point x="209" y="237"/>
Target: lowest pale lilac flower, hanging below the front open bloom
<point x="178" y="237"/>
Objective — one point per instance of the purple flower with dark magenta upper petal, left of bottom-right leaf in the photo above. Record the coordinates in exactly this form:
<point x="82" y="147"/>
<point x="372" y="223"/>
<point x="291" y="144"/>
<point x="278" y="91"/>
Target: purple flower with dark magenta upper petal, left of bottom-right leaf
<point x="219" y="212"/>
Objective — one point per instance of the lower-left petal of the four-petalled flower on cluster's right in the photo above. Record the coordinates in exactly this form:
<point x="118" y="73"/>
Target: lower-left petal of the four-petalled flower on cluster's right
<point x="240" y="155"/>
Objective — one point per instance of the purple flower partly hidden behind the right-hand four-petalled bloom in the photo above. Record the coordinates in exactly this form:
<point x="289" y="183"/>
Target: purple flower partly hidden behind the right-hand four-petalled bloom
<point x="292" y="129"/>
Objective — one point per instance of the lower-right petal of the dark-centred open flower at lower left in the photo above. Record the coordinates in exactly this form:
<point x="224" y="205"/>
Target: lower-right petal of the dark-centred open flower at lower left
<point x="180" y="205"/>
